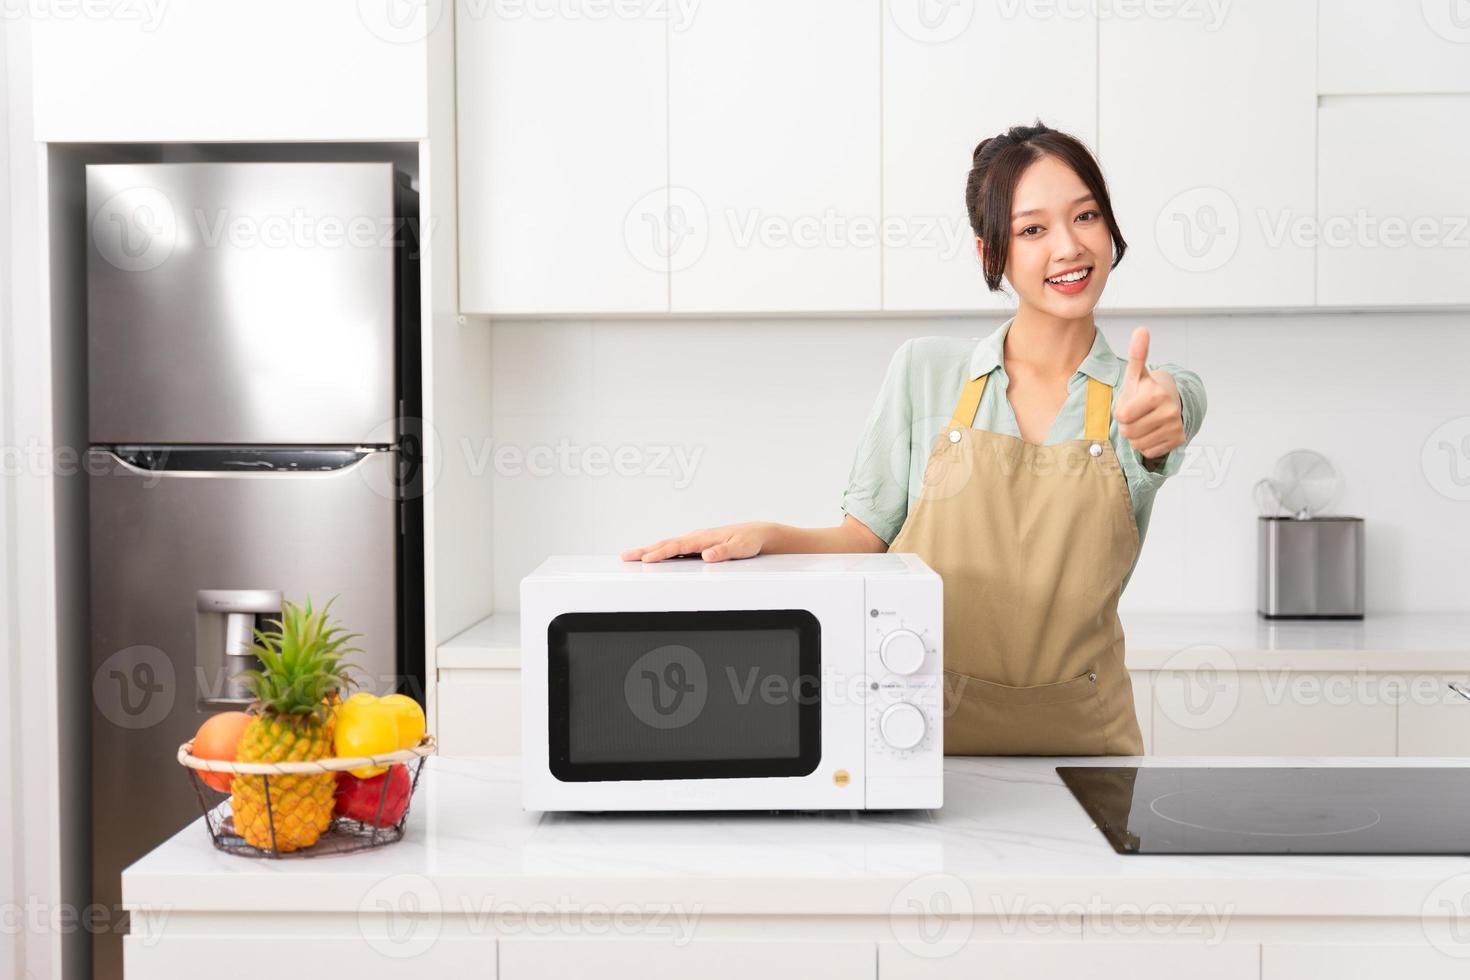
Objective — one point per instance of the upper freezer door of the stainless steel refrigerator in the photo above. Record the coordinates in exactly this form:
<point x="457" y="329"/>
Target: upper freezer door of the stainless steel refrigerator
<point x="242" y="303"/>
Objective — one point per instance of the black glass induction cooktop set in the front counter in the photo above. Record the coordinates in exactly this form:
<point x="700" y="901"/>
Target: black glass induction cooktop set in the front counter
<point x="1277" y="810"/>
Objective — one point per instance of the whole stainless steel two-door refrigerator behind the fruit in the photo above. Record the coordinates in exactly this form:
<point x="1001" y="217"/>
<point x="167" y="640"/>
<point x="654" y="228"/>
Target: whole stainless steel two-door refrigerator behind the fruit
<point x="254" y="402"/>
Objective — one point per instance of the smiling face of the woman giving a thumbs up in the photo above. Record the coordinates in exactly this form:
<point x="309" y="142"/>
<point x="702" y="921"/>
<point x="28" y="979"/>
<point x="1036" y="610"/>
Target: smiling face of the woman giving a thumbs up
<point x="1058" y="228"/>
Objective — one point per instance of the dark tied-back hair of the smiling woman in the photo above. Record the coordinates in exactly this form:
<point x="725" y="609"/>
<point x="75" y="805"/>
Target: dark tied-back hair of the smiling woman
<point x="994" y="174"/>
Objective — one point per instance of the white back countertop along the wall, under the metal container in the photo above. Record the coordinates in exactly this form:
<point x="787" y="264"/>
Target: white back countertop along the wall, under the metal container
<point x="1166" y="641"/>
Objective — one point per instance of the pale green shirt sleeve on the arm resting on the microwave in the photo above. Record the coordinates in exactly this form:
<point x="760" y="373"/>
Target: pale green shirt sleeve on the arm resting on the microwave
<point x="877" y="489"/>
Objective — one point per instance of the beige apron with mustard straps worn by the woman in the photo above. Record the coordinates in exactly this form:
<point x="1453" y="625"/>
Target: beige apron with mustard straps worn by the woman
<point x="1033" y="544"/>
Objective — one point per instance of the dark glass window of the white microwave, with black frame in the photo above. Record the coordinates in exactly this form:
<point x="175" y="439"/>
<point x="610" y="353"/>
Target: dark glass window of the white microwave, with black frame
<point x="684" y="696"/>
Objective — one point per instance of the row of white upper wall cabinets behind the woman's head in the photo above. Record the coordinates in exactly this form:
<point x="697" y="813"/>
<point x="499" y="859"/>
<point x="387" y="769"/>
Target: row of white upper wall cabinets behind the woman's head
<point x="765" y="156"/>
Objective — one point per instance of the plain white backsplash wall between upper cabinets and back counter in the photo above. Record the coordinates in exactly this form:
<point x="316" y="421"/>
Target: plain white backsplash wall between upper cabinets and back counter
<point x="758" y="419"/>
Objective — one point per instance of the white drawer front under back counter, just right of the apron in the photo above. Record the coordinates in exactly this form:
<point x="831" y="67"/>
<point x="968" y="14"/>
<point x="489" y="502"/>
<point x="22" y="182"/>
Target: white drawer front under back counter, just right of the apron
<point x="1275" y="713"/>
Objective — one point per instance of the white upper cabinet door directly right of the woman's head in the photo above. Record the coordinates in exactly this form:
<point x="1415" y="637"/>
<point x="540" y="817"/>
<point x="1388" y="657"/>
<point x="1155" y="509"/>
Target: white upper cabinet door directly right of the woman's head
<point x="1206" y="131"/>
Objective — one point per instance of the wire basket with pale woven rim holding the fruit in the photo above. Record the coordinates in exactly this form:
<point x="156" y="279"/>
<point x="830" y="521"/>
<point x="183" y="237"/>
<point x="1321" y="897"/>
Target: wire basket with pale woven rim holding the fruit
<point x="343" y="835"/>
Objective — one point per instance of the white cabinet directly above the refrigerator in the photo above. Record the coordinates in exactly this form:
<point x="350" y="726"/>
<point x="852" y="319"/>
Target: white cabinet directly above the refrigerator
<point x="201" y="71"/>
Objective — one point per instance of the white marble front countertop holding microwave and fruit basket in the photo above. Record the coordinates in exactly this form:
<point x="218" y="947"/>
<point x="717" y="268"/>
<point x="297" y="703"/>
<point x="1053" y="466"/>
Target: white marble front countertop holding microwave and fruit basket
<point x="1009" y="831"/>
